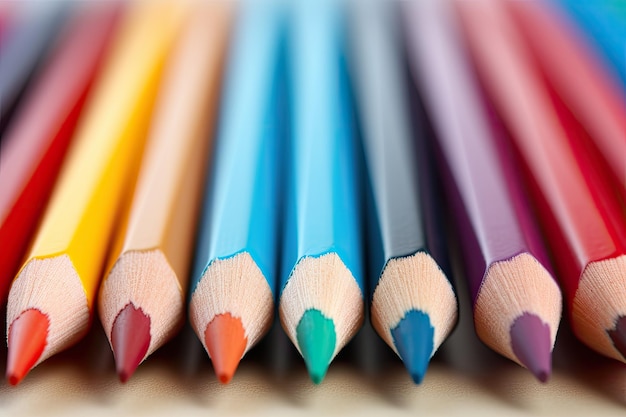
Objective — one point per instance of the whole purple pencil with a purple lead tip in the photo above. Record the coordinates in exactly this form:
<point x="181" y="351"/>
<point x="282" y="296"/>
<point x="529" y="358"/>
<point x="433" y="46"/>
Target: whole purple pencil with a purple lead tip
<point x="516" y="302"/>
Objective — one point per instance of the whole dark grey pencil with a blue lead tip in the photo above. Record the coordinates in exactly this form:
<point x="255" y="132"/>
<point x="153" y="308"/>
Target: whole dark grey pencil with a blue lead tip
<point x="413" y="303"/>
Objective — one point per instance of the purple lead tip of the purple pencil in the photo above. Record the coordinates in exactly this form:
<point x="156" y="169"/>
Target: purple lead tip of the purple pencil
<point x="530" y="340"/>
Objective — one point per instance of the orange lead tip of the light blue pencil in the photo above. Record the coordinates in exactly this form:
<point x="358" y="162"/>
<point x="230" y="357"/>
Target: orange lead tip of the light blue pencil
<point x="226" y="342"/>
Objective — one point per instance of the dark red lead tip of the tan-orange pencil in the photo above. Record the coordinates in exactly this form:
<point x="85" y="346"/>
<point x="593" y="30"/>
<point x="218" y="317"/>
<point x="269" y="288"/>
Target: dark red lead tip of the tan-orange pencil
<point x="130" y="339"/>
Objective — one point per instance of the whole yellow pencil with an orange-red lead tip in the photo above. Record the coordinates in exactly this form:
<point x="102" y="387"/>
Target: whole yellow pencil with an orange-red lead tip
<point x="50" y="303"/>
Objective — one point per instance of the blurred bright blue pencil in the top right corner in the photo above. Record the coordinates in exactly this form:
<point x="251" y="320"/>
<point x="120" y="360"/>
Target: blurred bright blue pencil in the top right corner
<point x="604" y="29"/>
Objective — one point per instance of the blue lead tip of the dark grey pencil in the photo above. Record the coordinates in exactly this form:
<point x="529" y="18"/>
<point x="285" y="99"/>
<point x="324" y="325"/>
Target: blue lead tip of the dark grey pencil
<point x="414" y="339"/>
